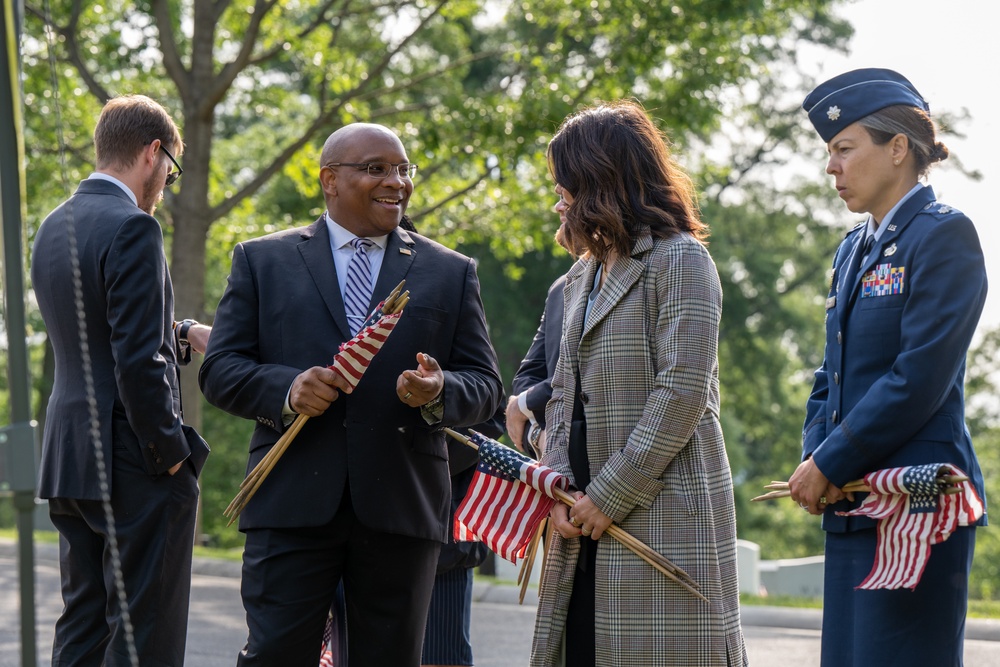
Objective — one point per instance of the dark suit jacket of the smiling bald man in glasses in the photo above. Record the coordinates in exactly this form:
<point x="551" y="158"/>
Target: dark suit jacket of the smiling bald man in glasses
<point x="282" y="313"/>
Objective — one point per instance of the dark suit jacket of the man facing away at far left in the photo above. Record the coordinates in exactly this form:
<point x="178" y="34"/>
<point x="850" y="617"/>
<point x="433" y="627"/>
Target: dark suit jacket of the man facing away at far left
<point x="128" y="304"/>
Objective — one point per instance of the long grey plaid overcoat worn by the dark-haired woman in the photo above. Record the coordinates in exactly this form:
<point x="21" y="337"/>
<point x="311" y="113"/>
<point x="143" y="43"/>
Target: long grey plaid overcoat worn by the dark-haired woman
<point x="647" y="362"/>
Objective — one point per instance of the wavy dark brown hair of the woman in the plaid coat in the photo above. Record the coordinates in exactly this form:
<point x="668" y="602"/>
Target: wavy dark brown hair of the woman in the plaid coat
<point x="617" y="166"/>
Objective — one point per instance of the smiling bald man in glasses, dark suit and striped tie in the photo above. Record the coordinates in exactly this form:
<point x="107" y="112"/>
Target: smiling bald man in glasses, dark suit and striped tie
<point x="363" y="492"/>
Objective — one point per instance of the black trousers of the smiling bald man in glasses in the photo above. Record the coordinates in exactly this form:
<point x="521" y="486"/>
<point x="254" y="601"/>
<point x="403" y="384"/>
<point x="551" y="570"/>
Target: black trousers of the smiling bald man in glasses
<point x="290" y="577"/>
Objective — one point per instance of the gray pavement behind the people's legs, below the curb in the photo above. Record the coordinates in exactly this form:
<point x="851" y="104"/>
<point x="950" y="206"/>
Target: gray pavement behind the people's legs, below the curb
<point x="501" y="628"/>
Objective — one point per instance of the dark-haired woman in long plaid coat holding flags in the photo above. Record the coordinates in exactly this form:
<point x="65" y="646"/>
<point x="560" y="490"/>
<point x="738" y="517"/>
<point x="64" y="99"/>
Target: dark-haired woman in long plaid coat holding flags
<point x="634" y="416"/>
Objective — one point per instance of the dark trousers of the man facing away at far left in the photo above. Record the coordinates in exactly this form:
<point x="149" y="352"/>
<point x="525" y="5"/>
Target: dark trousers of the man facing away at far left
<point x="154" y="520"/>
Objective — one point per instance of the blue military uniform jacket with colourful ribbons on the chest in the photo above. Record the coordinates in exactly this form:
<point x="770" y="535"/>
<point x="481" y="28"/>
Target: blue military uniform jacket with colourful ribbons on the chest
<point x="890" y="390"/>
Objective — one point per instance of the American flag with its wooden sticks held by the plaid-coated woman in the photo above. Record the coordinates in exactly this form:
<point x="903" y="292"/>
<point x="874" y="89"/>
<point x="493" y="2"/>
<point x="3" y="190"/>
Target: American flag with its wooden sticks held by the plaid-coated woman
<point x="502" y="506"/>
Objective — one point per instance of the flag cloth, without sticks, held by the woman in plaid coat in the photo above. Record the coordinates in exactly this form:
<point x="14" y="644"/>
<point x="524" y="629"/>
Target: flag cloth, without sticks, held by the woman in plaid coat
<point x="509" y="495"/>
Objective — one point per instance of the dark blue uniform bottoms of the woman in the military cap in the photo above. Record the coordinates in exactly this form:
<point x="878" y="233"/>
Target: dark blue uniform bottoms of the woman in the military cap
<point x="924" y="627"/>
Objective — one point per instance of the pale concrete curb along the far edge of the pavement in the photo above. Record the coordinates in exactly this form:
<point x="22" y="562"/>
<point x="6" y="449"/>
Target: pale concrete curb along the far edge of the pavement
<point x="981" y="629"/>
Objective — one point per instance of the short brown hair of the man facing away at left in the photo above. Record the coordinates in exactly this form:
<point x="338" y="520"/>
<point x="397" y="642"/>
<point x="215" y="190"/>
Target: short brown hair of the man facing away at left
<point x="126" y="124"/>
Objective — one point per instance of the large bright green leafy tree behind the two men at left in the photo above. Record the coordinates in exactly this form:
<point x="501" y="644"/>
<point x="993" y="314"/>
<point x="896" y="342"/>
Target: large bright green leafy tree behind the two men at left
<point x="475" y="89"/>
